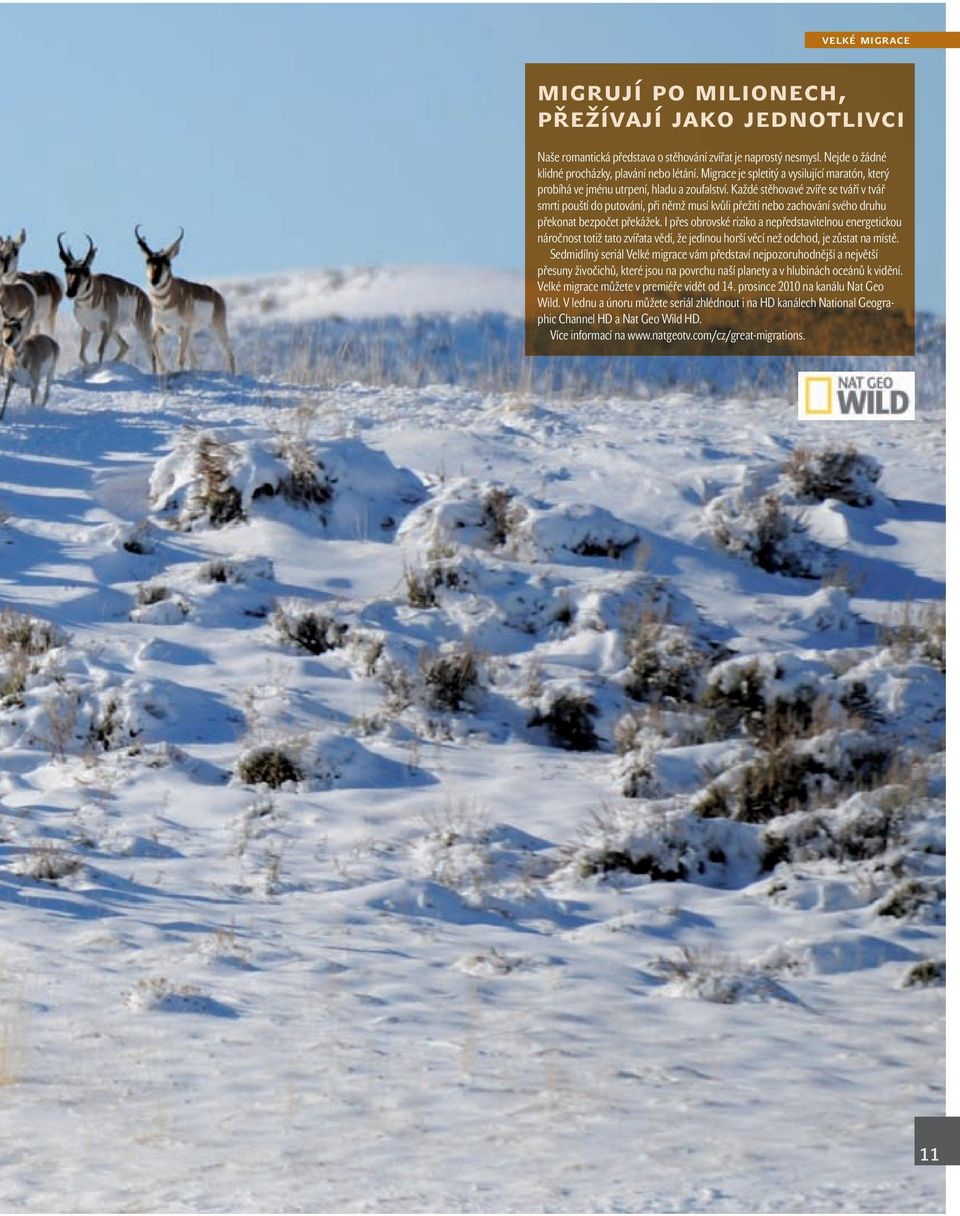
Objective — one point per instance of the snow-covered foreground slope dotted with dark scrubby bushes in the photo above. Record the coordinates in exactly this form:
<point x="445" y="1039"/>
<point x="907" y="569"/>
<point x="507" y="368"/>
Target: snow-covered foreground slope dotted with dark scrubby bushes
<point x="447" y="798"/>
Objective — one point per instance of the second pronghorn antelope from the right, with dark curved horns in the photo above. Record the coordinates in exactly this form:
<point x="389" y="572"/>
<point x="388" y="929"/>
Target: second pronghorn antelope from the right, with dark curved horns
<point x="105" y="305"/>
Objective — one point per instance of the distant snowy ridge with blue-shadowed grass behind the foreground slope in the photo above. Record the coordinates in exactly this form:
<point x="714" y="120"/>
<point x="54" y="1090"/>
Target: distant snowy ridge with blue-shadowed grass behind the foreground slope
<point x="457" y="325"/>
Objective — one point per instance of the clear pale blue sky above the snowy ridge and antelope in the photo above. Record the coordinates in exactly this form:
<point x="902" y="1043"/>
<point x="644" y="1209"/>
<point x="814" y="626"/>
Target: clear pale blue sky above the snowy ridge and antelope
<point x="285" y="137"/>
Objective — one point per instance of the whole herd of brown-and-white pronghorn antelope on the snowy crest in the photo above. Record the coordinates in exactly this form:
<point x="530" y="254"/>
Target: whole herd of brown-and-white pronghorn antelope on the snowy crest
<point x="103" y="305"/>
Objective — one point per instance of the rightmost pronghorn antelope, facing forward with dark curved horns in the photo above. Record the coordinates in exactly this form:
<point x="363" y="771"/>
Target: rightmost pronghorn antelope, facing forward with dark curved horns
<point x="182" y="307"/>
